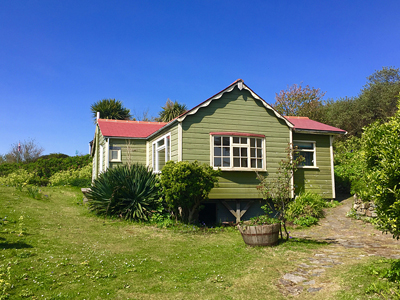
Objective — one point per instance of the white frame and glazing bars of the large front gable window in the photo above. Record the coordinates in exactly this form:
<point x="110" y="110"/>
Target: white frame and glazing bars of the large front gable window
<point x="231" y="156"/>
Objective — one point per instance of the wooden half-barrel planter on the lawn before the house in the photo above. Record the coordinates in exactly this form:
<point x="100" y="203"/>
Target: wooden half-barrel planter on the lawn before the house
<point x="260" y="235"/>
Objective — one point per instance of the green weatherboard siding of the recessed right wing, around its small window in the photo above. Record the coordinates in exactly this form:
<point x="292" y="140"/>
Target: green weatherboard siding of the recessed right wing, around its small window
<point x="318" y="180"/>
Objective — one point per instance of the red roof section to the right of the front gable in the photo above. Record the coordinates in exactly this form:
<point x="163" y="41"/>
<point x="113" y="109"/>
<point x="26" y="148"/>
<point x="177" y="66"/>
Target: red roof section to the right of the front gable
<point x="306" y="125"/>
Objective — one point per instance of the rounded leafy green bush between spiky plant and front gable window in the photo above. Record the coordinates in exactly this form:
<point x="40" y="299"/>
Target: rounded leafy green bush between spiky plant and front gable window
<point x="185" y="185"/>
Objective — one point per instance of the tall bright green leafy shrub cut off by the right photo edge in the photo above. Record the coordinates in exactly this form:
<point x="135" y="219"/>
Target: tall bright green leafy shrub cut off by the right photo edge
<point x="381" y="144"/>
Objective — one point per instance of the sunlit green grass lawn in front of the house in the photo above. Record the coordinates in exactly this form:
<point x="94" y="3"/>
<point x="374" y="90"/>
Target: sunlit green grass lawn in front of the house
<point x="58" y="250"/>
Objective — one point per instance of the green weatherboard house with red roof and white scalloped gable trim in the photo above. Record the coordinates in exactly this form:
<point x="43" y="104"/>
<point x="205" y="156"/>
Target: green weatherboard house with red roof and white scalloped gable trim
<point x="234" y="130"/>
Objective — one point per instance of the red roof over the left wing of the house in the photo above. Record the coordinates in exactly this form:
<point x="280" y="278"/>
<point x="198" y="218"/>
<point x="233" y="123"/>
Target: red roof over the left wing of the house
<point x="131" y="129"/>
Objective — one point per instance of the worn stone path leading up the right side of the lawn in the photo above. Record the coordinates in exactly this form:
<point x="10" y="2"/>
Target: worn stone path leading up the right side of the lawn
<point x="347" y="238"/>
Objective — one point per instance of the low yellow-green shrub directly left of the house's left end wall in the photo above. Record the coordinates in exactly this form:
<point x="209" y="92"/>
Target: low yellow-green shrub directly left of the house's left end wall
<point x="81" y="177"/>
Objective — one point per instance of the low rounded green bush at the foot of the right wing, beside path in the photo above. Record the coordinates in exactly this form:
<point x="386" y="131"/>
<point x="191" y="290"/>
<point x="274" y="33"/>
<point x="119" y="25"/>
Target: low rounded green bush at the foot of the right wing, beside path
<point x="306" y="209"/>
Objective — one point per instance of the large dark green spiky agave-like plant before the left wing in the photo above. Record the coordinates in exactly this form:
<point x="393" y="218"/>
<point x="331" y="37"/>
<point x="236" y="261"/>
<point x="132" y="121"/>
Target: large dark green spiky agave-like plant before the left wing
<point x="128" y="192"/>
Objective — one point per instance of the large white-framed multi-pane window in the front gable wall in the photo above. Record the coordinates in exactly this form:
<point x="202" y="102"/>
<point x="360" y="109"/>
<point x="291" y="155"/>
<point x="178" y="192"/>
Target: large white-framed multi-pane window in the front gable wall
<point x="238" y="152"/>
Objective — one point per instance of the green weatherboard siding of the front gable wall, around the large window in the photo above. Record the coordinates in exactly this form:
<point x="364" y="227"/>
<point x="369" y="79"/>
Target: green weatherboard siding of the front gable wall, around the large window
<point x="236" y="111"/>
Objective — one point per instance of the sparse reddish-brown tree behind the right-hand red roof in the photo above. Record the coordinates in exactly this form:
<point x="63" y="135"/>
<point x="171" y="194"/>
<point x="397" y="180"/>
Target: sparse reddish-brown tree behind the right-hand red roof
<point x="297" y="100"/>
